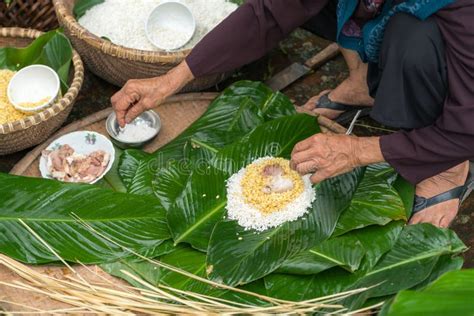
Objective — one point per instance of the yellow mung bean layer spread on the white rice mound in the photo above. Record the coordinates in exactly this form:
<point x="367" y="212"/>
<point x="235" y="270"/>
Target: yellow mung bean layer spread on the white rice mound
<point x="254" y="182"/>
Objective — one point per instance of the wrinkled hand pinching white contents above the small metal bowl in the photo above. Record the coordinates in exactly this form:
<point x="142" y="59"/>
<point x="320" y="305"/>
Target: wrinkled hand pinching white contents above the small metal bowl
<point x="138" y="96"/>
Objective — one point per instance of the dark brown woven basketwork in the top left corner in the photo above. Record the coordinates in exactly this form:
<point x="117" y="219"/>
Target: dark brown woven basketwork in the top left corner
<point x="37" y="14"/>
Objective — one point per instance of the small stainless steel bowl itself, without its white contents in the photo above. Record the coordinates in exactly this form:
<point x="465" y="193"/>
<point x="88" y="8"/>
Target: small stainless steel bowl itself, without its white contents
<point x="151" y="118"/>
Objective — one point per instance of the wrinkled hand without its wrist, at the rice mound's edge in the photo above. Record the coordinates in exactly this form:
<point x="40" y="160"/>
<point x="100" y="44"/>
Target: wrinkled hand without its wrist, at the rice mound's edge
<point x="325" y="156"/>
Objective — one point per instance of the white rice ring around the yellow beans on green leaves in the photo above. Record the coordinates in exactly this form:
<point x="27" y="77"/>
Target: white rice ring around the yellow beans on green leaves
<point x="251" y="218"/>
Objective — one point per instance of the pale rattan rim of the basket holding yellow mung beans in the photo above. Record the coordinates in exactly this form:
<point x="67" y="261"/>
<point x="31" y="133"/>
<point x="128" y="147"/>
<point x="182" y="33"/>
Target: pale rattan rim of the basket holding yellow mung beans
<point x="61" y="104"/>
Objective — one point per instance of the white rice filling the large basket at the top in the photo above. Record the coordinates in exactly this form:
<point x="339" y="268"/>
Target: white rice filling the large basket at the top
<point x="123" y="21"/>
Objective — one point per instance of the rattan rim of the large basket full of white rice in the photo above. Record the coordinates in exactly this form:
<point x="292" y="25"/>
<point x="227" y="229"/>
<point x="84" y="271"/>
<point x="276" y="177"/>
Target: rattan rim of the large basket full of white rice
<point x="67" y="20"/>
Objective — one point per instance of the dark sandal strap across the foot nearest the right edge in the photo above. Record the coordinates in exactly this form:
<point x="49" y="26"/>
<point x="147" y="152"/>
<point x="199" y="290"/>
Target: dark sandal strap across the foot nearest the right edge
<point x="461" y="193"/>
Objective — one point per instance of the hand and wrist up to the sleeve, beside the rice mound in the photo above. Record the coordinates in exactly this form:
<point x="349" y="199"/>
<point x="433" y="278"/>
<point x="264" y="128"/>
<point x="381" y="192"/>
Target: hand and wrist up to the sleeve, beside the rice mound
<point x="327" y="156"/>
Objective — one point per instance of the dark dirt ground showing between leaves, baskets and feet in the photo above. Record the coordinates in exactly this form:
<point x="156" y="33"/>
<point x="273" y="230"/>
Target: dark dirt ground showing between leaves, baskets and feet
<point x="300" y="46"/>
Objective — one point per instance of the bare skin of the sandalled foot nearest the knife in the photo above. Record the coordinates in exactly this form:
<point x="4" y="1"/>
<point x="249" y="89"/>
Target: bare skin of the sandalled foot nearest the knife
<point x="352" y="91"/>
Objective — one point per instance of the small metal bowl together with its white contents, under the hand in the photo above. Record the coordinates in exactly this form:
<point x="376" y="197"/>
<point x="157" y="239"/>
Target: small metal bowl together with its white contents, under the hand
<point x="135" y="134"/>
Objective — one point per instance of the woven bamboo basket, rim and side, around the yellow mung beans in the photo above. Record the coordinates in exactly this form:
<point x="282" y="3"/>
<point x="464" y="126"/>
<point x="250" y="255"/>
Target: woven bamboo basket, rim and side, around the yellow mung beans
<point x="33" y="130"/>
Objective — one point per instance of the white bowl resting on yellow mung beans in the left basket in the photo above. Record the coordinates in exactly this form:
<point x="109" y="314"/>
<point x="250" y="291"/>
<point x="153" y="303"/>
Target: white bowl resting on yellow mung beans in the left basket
<point x="32" y="84"/>
